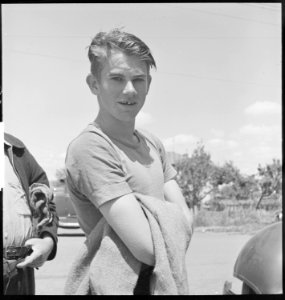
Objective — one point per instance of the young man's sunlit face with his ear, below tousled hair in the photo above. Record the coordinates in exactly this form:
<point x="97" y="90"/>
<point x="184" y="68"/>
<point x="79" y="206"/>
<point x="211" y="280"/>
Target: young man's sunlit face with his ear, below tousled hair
<point x="123" y="86"/>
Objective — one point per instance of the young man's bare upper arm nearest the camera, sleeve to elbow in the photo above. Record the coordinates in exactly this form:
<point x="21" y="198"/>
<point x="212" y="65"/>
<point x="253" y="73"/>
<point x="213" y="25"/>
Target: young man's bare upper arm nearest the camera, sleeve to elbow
<point x="126" y="217"/>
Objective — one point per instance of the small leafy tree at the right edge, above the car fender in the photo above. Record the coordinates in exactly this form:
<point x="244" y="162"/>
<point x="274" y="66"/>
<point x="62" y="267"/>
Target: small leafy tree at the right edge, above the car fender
<point x="270" y="179"/>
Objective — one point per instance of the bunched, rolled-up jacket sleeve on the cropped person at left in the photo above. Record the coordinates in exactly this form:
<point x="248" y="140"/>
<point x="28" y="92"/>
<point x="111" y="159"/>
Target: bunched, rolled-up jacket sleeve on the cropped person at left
<point x="40" y="197"/>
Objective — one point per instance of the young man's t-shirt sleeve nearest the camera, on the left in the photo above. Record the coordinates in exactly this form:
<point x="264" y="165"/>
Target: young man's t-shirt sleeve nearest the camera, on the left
<point x="95" y="170"/>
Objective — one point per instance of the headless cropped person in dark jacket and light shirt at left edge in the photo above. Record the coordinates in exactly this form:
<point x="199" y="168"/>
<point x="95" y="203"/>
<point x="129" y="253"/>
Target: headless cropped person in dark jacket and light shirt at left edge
<point x="29" y="219"/>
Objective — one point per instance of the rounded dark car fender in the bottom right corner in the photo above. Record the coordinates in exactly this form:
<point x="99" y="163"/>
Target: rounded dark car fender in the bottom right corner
<point x="259" y="263"/>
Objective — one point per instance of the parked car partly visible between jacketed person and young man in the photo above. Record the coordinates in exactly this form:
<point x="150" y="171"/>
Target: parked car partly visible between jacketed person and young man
<point x="64" y="207"/>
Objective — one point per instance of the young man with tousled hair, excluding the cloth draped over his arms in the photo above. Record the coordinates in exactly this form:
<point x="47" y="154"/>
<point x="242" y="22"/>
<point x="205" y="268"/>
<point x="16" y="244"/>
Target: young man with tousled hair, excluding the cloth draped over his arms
<point x="110" y="159"/>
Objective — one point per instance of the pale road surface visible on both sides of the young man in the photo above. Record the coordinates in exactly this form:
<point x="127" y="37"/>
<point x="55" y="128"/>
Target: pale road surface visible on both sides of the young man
<point x="210" y="260"/>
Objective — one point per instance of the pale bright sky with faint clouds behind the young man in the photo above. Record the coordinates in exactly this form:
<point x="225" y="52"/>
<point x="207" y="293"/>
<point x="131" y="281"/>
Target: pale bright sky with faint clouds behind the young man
<point x="218" y="77"/>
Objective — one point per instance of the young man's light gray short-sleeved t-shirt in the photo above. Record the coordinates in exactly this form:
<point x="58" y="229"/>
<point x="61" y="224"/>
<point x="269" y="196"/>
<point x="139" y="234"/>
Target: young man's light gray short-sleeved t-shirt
<point x="100" y="169"/>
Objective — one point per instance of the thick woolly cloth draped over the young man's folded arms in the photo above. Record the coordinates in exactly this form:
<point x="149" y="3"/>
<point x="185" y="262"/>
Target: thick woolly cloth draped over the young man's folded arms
<point x="105" y="266"/>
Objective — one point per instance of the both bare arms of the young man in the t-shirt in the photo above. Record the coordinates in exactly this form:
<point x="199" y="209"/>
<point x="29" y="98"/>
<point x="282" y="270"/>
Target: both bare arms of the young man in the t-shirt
<point x="126" y="217"/>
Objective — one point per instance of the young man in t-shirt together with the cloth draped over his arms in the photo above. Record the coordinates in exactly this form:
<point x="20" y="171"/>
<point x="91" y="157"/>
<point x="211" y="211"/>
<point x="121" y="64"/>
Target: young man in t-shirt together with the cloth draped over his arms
<point x="119" y="175"/>
